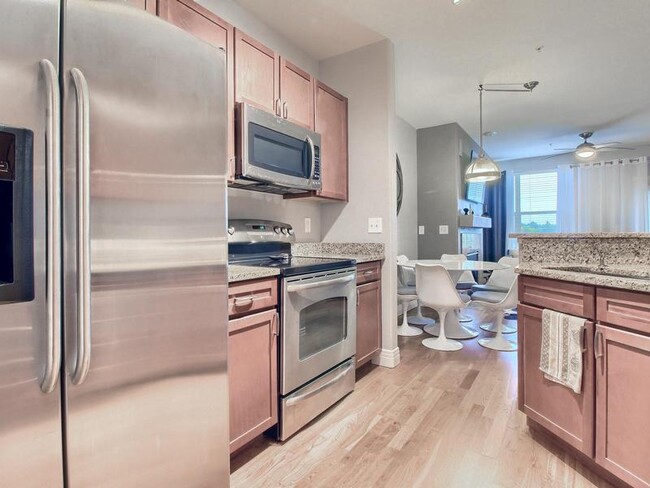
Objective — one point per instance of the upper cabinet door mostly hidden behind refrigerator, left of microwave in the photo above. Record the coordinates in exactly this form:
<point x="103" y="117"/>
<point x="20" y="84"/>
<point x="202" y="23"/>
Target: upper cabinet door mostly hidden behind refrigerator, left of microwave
<point x="193" y="18"/>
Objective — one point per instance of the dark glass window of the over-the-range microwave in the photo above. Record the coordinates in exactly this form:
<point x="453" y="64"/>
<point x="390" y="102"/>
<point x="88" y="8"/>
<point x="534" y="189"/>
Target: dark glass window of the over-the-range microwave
<point x="278" y="152"/>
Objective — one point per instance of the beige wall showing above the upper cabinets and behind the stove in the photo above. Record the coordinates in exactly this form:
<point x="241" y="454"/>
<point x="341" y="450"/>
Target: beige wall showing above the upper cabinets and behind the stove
<point x="249" y="204"/>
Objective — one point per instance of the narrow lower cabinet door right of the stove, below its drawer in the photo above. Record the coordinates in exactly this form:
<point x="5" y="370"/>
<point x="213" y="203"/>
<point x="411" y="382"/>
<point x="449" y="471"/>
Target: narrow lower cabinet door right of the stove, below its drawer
<point x="368" y="321"/>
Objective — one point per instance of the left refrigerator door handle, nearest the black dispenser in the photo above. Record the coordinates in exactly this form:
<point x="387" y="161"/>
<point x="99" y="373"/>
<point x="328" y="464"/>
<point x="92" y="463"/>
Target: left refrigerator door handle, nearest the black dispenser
<point x="53" y="279"/>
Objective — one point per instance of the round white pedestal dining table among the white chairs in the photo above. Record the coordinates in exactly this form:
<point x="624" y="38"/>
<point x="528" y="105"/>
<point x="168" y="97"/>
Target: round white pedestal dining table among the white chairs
<point x="453" y="328"/>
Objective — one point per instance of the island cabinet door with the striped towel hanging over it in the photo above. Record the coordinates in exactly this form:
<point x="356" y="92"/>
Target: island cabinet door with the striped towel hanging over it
<point x="566" y="414"/>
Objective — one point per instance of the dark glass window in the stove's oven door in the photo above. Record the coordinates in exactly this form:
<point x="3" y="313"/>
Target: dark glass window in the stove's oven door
<point x="322" y="325"/>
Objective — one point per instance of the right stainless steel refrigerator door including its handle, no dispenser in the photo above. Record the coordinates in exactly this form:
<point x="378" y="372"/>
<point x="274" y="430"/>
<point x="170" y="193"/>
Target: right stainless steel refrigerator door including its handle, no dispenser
<point x="144" y="251"/>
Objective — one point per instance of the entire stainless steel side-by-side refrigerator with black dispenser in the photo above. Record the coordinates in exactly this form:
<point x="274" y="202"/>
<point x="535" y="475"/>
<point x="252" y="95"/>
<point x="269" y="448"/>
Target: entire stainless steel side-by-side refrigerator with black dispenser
<point x="113" y="256"/>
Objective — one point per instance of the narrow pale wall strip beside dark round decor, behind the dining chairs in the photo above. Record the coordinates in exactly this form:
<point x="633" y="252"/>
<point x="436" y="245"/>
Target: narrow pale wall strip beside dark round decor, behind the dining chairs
<point x="407" y="220"/>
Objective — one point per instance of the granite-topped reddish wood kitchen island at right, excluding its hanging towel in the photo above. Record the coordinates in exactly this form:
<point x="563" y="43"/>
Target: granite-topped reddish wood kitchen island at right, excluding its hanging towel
<point x="605" y="279"/>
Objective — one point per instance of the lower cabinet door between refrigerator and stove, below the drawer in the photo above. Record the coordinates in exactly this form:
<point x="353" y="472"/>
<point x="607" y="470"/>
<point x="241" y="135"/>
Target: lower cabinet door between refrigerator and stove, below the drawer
<point x="252" y="375"/>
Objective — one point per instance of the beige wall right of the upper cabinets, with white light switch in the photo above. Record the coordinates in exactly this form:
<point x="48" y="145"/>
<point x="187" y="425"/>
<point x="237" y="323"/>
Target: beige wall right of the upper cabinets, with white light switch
<point x="366" y="76"/>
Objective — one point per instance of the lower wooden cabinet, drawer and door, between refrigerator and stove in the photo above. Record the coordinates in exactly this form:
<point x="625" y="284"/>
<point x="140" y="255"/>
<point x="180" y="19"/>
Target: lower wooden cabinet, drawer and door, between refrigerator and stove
<point x="253" y="331"/>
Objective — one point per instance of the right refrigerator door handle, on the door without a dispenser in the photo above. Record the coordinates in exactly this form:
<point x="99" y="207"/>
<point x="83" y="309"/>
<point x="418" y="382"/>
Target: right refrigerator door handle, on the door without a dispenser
<point x="84" y="345"/>
